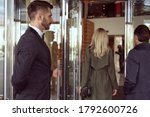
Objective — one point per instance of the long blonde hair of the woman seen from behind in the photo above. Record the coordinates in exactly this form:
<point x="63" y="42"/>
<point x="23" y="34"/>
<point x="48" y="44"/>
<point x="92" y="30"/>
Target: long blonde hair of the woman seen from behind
<point x="99" y="42"/>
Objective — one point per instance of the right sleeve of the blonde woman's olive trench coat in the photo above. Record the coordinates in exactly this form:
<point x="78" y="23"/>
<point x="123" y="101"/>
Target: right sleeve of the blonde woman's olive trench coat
<point x="111" y="71"/>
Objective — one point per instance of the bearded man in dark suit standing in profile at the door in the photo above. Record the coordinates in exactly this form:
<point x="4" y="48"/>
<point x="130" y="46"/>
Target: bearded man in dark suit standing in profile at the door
<point x="32" y="68"/>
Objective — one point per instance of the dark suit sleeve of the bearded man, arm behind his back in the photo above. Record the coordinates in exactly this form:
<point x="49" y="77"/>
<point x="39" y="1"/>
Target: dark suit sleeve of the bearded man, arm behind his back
<point x="24" y="57"/>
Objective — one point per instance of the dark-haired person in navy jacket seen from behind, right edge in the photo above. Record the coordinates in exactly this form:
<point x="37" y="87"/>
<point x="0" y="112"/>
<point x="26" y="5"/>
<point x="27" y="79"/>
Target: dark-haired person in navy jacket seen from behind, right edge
<point x="137" y="81"/>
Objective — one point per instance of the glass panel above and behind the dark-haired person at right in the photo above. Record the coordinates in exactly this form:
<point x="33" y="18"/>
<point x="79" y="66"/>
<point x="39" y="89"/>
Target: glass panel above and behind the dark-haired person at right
<point x="138" y="13"/>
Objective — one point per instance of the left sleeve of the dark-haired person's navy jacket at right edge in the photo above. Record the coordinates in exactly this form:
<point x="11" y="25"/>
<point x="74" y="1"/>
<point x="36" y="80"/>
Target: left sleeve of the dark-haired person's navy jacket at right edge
<point x="131" y="73"/>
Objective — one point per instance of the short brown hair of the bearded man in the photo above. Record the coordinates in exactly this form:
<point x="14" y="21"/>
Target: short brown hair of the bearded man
<point x="37" y="5"/>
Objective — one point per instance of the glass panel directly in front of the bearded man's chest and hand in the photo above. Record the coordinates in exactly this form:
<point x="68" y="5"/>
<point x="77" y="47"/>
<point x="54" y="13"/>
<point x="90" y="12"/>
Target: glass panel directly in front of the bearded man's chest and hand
<point x="56" y="59"/>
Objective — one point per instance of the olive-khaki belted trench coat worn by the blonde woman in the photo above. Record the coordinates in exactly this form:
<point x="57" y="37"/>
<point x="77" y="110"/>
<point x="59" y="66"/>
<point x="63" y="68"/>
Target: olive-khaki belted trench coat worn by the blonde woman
<point x="101" y="73"/>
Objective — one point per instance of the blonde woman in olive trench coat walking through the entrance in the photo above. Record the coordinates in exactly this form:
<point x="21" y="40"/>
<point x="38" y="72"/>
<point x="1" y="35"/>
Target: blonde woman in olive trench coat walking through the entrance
<point x="99" y="68"/>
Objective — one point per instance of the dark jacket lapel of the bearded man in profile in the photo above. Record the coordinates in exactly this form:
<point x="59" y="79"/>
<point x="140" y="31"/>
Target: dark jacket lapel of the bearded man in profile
<point x="38" y="38"/>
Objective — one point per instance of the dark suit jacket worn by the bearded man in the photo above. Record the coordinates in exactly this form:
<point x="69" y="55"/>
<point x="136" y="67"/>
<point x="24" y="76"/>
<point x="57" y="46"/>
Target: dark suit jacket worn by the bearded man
<point x="31" y="75"/>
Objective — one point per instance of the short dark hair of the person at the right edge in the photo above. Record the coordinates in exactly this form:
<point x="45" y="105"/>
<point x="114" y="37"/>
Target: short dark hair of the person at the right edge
<point x="143" y="33"/>
